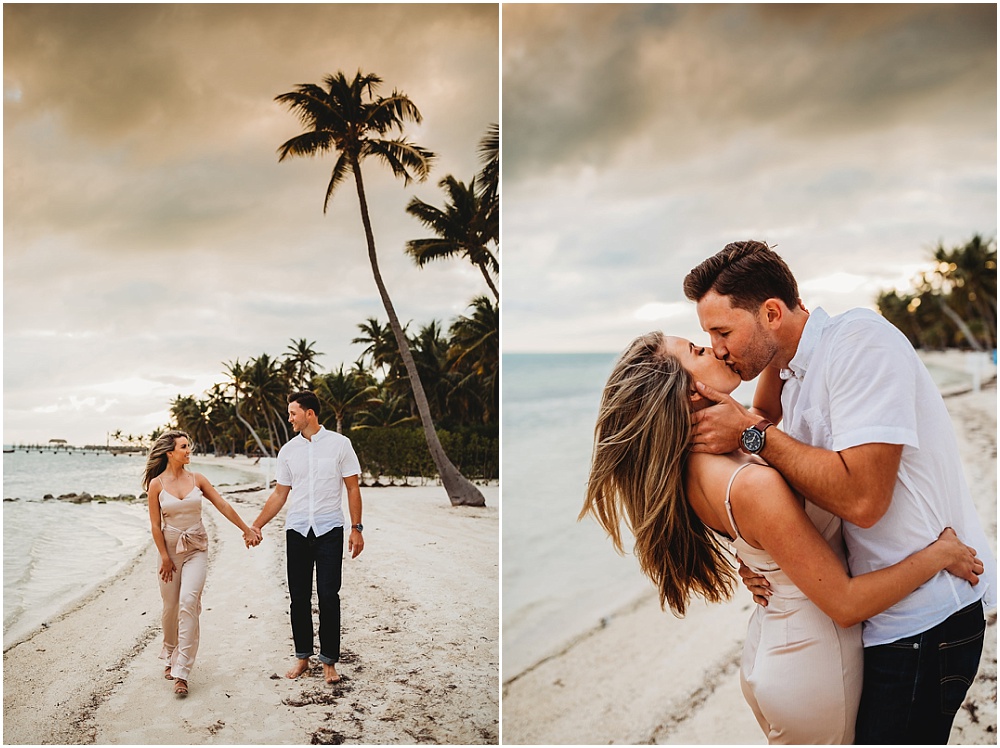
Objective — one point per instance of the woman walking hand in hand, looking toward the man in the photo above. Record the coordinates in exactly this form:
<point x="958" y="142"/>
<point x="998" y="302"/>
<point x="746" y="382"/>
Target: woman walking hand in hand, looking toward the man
<point x="175" y="498"/>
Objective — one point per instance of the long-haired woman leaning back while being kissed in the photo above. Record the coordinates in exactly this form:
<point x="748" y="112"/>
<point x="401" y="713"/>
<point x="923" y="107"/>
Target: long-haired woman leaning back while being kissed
<point x="802" y="659"/>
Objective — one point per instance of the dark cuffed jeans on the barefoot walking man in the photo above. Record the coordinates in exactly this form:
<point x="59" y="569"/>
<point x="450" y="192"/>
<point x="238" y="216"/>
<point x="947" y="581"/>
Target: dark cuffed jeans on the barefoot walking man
<point x="324" y="553"/>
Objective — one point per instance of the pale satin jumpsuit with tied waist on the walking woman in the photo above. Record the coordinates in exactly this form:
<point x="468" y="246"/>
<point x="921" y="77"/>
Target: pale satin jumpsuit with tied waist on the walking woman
<point x="187" y="546"/>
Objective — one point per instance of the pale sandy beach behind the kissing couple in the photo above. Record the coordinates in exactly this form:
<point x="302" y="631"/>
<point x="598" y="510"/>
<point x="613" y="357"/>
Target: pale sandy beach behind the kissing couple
<point x="643" y="677"/>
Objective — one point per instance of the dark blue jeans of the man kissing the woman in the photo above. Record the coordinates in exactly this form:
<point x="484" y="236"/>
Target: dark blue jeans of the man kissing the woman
<point x="914" y="686"/>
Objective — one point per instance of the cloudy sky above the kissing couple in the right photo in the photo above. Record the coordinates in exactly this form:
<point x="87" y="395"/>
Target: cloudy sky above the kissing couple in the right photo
<point x="639" y="140"/>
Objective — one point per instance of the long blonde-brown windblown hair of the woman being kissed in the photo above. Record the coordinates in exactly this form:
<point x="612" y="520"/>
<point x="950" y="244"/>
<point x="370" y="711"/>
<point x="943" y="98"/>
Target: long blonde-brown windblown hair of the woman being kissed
<point x="637" y="475"/>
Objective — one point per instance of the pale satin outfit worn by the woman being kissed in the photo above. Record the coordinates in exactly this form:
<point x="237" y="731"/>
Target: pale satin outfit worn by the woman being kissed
<point x="801" y="673"/>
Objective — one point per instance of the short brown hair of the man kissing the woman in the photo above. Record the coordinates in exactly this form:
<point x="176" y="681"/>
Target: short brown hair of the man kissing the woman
<point x="748" y="272"/>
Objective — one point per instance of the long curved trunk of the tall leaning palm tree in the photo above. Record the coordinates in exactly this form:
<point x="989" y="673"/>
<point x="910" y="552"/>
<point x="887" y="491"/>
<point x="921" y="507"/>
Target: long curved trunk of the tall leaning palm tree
<point x="461" y="491"/>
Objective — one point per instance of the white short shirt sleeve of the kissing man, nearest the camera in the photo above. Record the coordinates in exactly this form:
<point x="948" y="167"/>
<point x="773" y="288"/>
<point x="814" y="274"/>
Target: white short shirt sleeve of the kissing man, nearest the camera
<point x="872" y="385"/>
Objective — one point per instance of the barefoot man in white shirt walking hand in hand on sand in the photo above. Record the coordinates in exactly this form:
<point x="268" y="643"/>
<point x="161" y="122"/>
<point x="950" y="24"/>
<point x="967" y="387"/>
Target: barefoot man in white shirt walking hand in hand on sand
<point x="313" y="469"/>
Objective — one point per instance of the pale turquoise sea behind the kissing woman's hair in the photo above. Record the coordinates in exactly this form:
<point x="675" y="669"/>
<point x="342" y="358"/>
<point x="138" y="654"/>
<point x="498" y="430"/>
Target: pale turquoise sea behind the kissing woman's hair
<point x="560" y="576"/>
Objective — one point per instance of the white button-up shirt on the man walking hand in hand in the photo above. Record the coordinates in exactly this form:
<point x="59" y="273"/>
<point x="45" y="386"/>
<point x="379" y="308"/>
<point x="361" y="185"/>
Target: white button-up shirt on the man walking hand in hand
<point x="315" y="469"/>
